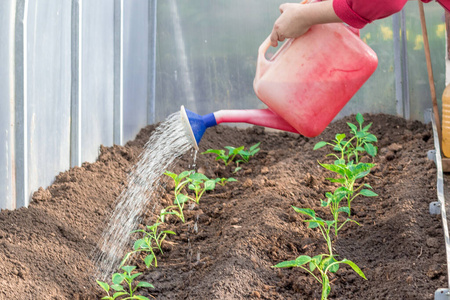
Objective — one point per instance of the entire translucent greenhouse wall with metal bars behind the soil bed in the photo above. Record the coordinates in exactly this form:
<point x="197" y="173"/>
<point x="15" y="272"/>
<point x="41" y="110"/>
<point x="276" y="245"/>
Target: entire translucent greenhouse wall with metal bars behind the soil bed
<point x="77" y="74"/>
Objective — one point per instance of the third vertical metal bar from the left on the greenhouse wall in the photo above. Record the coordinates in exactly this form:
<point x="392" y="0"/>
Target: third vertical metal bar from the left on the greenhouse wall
<point x="118" y="72"/>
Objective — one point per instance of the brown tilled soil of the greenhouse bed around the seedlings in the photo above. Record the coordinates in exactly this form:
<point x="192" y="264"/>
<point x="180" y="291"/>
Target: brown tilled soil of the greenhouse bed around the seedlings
<point x="231" y="239"/>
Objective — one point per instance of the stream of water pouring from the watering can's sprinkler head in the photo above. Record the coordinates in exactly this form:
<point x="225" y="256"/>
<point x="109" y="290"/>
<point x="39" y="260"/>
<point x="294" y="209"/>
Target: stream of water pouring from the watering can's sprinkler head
<point x="167" y="143"/>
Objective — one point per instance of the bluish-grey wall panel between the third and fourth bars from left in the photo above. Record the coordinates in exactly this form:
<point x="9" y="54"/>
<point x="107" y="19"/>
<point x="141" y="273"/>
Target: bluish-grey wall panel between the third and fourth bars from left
<point x="135" y="66"/>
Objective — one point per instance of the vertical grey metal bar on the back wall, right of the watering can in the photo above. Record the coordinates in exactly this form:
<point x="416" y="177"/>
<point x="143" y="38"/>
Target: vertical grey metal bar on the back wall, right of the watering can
<point x="397" y="64"/>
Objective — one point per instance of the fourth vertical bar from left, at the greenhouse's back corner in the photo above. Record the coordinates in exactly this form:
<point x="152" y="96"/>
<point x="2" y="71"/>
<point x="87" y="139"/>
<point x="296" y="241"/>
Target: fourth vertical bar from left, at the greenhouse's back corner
<point x="152" y="24"/>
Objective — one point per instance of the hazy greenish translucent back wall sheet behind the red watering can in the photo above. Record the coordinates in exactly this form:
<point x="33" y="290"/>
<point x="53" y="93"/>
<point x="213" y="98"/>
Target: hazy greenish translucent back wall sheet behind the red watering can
<point x="207" y="54"/>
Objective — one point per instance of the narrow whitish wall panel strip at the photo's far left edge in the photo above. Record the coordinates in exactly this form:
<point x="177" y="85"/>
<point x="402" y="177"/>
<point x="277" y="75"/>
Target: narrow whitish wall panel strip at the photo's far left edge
<point x="7" y="104"/>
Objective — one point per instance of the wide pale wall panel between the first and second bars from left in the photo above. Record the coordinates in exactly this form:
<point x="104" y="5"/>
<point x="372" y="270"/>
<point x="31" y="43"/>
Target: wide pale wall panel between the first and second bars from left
<point x="48" y="83"/>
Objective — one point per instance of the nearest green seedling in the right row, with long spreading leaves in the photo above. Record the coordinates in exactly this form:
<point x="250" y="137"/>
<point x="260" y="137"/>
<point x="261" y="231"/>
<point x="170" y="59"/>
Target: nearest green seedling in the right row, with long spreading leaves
<point x="324" y="264"/>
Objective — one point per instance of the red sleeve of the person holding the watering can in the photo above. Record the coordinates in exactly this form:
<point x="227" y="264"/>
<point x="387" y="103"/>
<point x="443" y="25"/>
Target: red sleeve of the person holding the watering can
<point x="358" y="13"/>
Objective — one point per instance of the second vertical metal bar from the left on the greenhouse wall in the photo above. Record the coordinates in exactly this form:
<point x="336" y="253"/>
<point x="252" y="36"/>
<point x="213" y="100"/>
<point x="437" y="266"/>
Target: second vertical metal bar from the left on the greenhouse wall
<point x="75" y="104"/>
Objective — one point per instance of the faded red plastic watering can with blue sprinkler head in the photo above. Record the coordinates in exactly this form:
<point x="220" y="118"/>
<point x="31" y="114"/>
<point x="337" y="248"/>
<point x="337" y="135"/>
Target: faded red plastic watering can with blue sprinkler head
<point x="304" y="85"/>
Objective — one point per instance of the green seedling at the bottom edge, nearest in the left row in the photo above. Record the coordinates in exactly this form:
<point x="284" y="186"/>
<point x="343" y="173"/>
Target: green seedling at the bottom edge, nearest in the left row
<point x="120" y="292"/>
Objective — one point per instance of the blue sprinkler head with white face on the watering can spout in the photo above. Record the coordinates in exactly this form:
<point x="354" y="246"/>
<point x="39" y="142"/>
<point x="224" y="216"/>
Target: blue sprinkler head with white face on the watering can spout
<point x="195" y="125"/>
